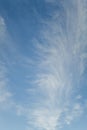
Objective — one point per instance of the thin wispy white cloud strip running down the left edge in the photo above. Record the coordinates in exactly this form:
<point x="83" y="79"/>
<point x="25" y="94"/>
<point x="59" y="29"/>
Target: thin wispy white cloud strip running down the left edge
<point x="4" y="93"/>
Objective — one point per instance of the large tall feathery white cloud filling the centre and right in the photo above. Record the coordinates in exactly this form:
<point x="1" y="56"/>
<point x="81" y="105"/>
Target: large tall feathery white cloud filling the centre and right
<point x="59" y="50"/>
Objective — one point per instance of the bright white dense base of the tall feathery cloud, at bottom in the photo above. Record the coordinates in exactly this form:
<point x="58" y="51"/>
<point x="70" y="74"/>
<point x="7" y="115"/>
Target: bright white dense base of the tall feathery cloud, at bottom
<point x="47" y="119"/>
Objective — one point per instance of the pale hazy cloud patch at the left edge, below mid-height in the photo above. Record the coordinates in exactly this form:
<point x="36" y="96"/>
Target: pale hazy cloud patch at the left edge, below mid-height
<point x="5" y="94"/>
